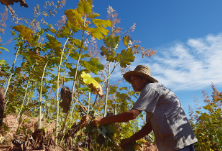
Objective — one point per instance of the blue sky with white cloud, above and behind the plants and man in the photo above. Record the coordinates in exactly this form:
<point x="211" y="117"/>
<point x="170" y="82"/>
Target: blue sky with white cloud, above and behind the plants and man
<point x="186" y="34"/>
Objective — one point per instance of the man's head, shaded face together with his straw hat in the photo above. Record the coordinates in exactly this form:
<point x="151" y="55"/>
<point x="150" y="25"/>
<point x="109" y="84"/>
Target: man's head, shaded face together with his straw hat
<point x="139" y="77"/>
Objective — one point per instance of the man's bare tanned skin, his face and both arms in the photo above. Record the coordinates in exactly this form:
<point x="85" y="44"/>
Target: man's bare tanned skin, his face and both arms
<point x="138" y="83"/>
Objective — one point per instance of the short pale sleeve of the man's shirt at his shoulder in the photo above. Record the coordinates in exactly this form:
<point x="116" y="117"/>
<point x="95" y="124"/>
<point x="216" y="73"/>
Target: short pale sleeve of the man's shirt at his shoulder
<point x="148" y="100"/>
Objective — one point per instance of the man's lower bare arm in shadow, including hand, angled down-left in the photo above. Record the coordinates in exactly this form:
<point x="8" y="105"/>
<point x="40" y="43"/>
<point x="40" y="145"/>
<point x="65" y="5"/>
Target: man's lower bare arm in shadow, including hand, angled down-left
<point x="147" y="128"/>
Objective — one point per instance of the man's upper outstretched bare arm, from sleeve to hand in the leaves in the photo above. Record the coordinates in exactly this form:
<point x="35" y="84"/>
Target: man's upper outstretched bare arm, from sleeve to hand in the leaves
<point x="122" y="117"/>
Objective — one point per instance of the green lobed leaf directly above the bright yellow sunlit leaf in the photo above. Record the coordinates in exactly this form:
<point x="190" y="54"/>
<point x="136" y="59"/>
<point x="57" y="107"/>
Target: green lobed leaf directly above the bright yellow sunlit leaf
<point x="93" y="65"/>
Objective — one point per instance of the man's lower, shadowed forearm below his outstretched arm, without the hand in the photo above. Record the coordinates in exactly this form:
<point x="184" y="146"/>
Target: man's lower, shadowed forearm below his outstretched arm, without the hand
<point x="147" y="128"/>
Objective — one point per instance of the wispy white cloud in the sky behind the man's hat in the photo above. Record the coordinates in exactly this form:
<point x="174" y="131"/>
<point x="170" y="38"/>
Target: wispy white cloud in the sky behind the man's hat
<point x="187" y="66"/>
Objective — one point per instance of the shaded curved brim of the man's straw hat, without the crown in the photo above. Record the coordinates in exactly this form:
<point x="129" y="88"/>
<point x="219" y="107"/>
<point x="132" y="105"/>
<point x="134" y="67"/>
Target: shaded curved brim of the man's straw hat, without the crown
<point x="127" y="76"/>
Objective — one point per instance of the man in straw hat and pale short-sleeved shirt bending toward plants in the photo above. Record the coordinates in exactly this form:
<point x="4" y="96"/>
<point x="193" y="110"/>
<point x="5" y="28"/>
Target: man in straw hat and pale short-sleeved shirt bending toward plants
<point x="165" y="115"/>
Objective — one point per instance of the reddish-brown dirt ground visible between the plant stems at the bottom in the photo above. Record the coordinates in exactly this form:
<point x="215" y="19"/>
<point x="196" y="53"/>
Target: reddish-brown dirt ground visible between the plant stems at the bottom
<point x="30" y="124"/>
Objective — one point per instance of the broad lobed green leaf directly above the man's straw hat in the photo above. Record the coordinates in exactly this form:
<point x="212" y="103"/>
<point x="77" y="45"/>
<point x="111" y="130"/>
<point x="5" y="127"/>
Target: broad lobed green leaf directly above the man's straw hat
<point x="125" y="57"/>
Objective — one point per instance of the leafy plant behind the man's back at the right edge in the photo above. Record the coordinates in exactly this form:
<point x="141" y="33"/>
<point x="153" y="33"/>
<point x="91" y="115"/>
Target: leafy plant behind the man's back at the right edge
<point x="207" y="125"/>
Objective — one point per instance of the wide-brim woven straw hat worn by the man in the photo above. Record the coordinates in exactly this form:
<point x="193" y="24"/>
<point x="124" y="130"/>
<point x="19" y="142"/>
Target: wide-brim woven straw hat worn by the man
<point x="140" y="70"/>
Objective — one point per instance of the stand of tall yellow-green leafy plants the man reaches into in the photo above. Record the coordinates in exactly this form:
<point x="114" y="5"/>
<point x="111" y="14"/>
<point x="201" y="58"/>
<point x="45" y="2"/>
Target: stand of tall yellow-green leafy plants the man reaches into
<point x="65" y="58"/>
